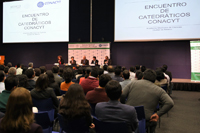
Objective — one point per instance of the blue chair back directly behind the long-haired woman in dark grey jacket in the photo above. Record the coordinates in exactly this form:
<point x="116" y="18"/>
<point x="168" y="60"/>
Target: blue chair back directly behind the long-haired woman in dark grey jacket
<point x="43" y="104"/>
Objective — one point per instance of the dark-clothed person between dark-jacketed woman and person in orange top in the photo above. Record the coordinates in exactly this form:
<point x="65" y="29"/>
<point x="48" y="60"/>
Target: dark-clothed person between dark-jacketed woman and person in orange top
<point x="52" y="83"/>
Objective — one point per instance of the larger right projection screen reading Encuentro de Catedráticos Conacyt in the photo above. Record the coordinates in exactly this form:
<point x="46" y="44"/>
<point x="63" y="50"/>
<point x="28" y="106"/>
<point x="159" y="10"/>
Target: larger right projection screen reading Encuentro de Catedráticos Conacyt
<point x="157" y="20"/>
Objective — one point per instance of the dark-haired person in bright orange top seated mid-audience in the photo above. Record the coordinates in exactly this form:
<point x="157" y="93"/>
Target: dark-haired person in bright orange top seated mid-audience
<point x="68" y="75"/>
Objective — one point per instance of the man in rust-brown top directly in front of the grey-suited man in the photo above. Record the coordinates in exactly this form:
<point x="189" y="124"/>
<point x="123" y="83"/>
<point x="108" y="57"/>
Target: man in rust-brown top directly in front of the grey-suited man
<point x="99" y="94"/>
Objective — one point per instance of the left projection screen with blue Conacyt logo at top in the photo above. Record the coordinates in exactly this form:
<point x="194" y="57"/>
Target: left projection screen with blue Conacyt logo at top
<point x="36" y="21"/>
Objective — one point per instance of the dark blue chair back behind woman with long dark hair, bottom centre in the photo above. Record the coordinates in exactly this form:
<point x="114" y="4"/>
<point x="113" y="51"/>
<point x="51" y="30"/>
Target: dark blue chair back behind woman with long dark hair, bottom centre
<point x="73" y="126"/>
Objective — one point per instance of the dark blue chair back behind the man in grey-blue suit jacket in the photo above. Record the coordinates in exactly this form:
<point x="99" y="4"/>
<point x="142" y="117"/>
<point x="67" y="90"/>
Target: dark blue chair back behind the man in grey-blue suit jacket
<point x="110" y="127"/>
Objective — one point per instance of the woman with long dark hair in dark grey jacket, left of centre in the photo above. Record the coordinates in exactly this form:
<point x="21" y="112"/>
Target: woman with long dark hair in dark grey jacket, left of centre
<point x="42" y="91"/>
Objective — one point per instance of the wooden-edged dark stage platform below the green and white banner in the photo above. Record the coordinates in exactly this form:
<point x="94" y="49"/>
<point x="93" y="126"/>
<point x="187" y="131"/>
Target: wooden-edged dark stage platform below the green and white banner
<point x="185" y="84"/>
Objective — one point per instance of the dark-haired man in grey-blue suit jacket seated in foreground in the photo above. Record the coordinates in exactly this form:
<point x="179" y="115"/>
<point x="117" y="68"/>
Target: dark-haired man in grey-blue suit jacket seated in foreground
<point x="113" y="110"/>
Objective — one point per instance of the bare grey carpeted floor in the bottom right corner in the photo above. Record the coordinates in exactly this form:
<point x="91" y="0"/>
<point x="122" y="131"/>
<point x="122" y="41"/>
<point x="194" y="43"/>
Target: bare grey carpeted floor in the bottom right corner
<point x="184" y="117"/>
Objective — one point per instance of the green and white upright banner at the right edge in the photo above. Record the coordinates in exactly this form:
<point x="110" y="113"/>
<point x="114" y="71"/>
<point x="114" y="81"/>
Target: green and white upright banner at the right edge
<point x="195" y="60"/>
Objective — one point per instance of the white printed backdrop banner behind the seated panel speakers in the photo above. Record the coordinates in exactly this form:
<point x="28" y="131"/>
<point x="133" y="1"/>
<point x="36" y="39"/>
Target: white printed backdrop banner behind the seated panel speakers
<point x="78" y="50"/>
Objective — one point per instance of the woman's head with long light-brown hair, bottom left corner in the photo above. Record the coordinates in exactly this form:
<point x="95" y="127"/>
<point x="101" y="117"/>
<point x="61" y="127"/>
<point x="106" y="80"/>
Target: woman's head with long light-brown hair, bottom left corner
<point x="19" y="115"/>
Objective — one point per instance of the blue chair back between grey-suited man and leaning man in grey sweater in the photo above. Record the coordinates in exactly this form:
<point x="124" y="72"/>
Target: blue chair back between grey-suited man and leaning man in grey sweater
<point x="141" y="118"/>
